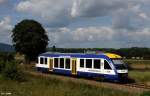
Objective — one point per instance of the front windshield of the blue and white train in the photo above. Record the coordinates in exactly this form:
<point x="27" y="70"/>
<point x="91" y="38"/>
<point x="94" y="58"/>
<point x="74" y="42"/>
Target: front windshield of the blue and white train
<point x="119" y="64"/>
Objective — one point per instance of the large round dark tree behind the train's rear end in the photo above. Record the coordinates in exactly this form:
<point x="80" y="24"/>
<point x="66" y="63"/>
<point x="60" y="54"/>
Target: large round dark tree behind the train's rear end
<point x="29" y="38"/>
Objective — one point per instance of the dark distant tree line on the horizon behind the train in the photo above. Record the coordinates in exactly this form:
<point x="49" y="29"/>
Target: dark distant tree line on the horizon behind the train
<point x="129" y="53"/>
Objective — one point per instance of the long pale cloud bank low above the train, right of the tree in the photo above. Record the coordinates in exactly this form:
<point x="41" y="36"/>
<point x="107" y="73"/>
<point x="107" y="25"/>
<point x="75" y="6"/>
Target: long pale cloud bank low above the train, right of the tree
<point x="68" y="37"/>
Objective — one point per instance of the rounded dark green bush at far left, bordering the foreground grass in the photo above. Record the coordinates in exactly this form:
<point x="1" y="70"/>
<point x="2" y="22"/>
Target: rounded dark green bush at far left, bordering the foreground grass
<point x="12" y="71"/>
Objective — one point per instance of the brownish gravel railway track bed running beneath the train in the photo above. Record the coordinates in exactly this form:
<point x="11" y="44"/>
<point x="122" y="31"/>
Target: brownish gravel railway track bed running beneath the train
<point x="130" y="87"/>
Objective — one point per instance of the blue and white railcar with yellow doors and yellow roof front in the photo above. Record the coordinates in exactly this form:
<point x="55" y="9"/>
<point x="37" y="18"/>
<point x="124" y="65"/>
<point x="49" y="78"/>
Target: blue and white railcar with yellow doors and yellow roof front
<point x="108" y="66"/>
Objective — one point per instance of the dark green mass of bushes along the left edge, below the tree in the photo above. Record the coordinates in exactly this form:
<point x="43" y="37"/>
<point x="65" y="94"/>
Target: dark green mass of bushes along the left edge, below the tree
<point x="9" y="68"/>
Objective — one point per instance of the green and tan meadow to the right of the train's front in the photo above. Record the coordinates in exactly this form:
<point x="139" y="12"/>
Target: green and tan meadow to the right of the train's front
<point x="139" y="70"/>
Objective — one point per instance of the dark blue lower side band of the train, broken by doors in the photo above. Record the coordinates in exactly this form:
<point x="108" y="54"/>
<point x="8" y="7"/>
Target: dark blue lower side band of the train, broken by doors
<point x="79" y="73"/>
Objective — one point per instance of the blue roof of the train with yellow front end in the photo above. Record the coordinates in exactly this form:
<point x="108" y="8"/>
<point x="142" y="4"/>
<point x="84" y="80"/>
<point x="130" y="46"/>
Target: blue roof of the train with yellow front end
<point x="82" y="55"/>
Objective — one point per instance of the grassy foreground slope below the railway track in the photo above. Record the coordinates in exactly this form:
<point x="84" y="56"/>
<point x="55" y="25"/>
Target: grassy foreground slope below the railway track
<point x="42" y="86"/>
